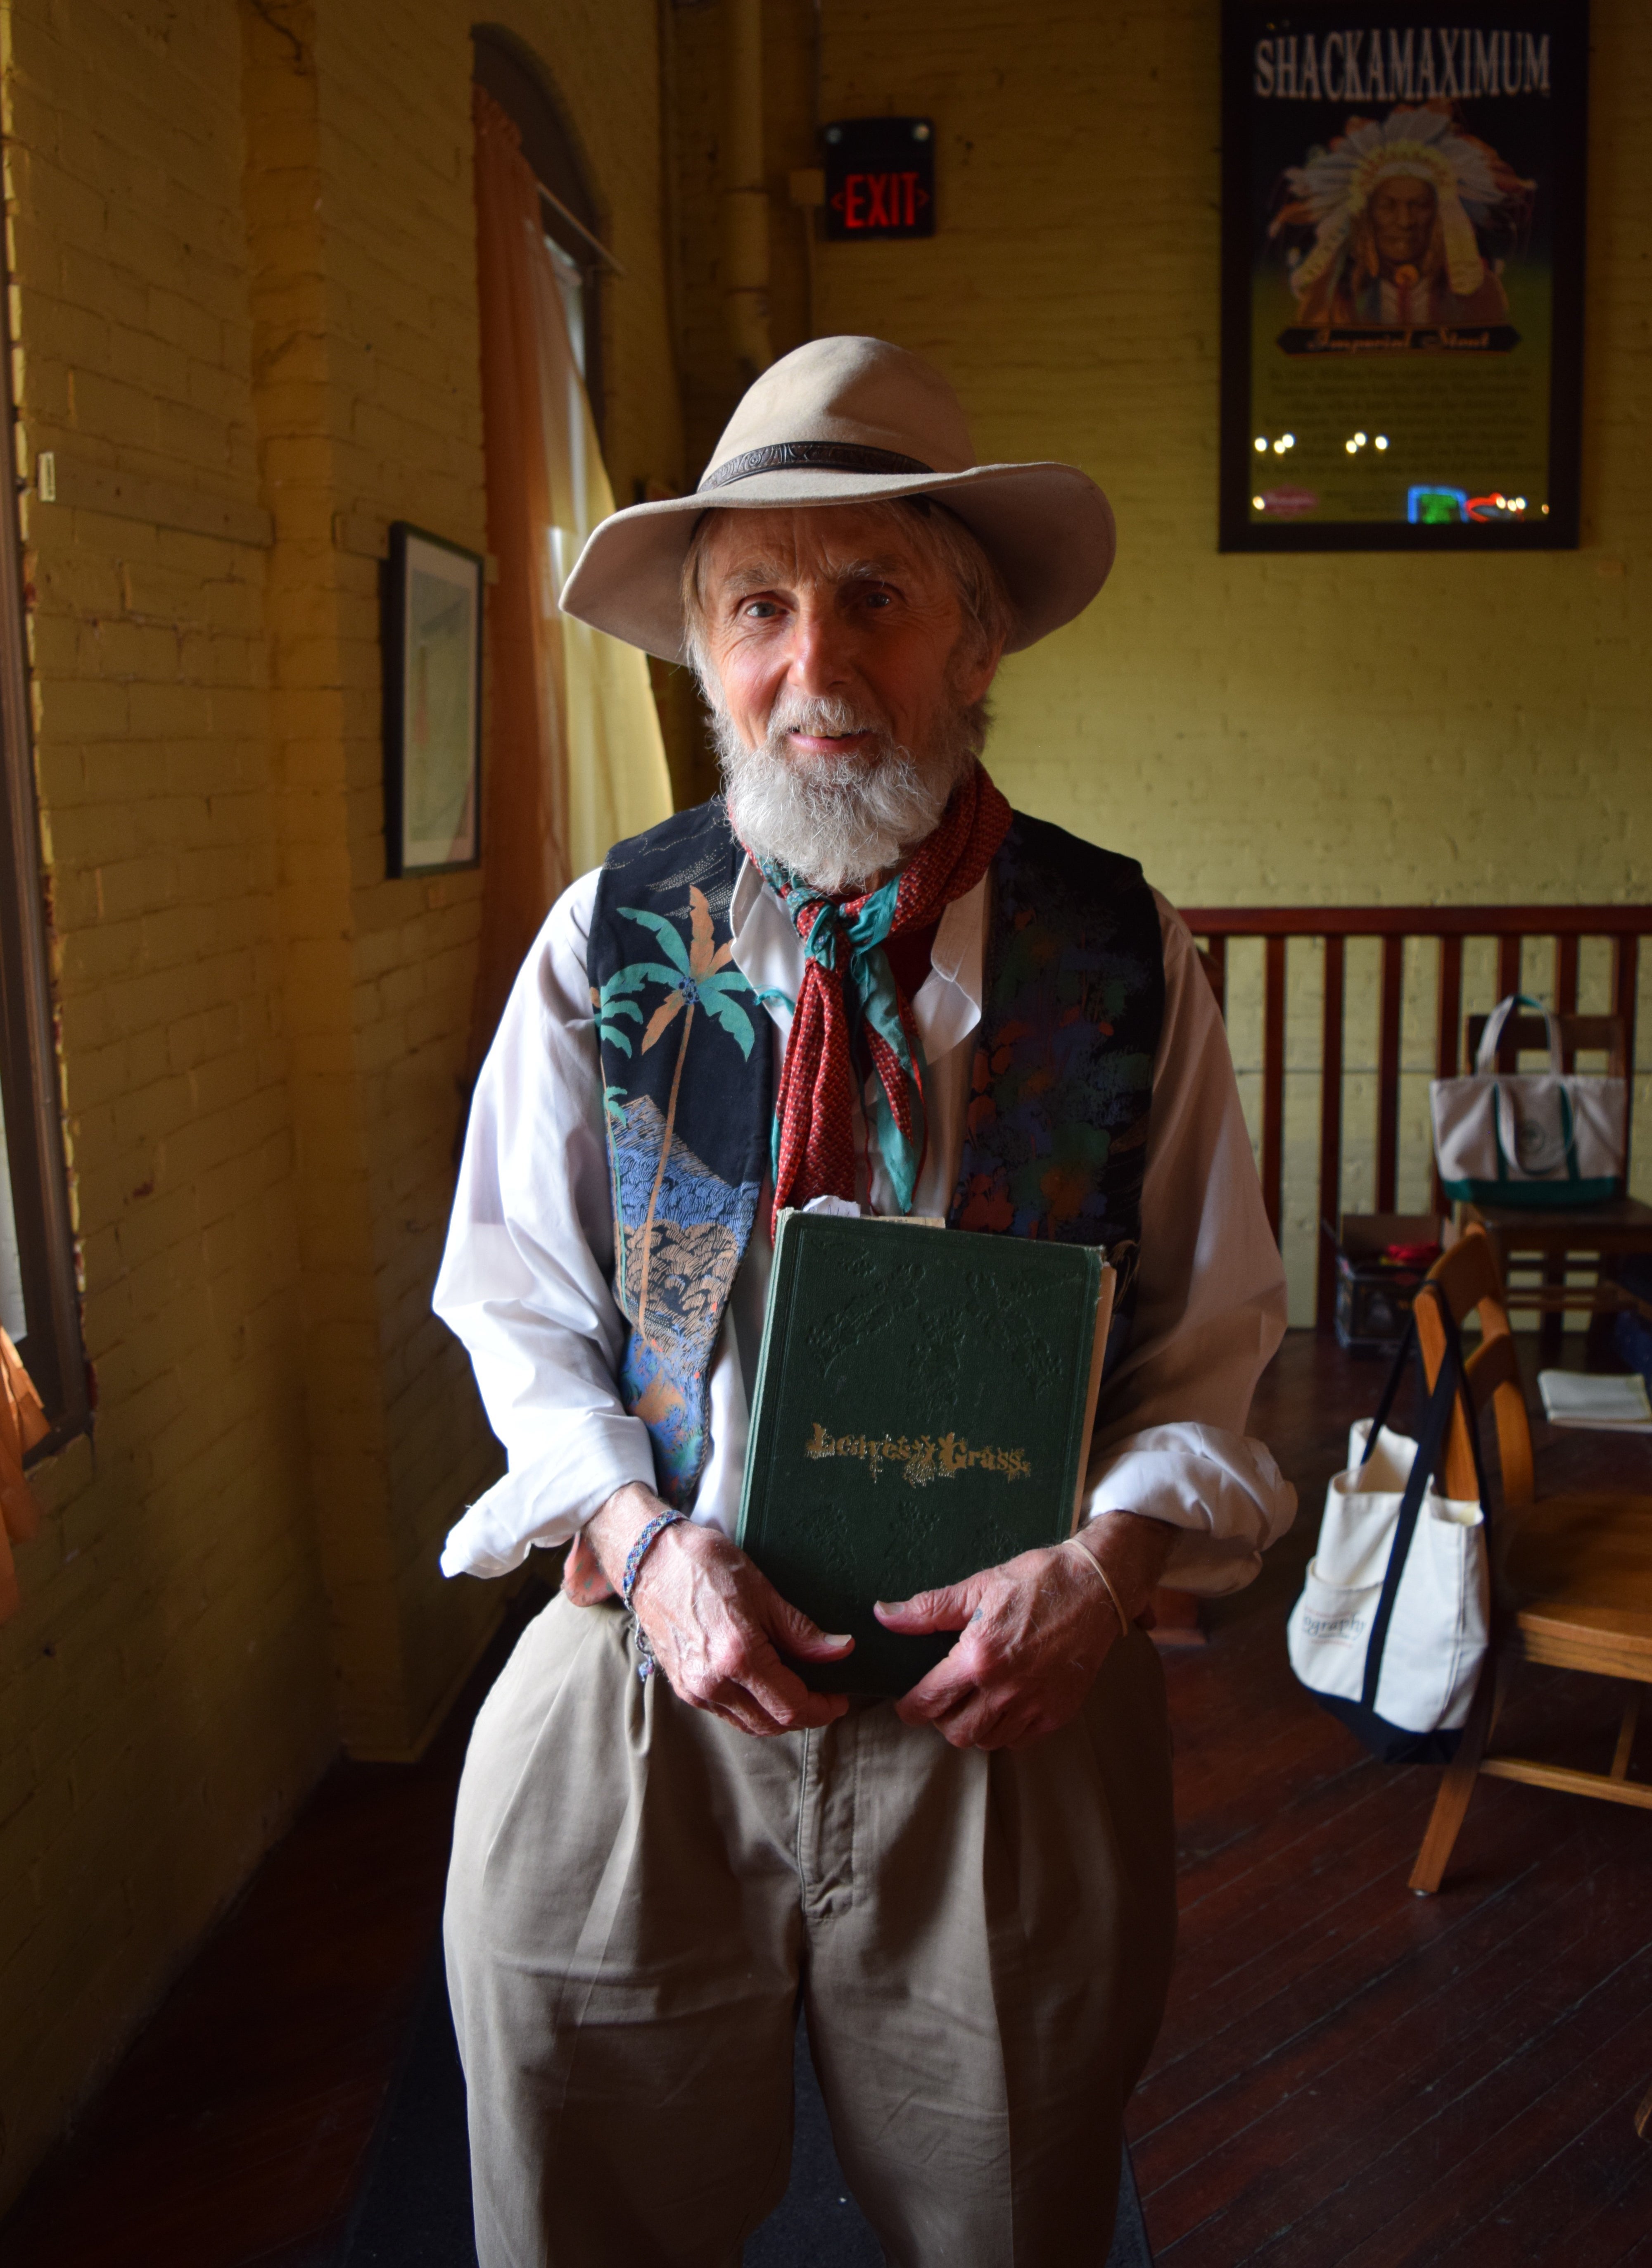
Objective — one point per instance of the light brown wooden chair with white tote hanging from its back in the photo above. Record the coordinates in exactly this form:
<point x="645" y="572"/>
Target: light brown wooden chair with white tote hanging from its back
<point x="1572" y="1575"/>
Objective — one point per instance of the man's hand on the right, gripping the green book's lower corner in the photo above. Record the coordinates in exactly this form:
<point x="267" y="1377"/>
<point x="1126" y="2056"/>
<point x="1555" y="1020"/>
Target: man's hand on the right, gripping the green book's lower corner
<point x="1034" y="1634"/>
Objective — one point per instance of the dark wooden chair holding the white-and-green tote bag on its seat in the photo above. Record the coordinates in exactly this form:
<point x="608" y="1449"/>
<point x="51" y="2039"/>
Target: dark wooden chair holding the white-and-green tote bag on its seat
<point x="1562" y="1239"/>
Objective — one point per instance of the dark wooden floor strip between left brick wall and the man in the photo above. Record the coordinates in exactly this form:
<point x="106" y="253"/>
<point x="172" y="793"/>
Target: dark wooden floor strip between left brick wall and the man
<point x="239" y="2126"/>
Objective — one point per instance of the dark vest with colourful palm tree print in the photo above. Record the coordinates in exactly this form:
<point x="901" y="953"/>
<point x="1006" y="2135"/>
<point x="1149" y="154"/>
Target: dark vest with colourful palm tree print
<point x="1059" y="1108"/>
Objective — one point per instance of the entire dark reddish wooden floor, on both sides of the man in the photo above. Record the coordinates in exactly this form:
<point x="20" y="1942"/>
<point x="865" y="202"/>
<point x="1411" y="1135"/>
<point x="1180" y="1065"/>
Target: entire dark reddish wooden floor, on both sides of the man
<point x="1347" y="2079"/>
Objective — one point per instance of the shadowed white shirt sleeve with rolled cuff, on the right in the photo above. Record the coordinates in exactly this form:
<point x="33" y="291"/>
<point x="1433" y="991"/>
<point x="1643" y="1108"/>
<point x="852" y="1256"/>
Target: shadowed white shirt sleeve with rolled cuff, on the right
<point x="1209" y="1312"/>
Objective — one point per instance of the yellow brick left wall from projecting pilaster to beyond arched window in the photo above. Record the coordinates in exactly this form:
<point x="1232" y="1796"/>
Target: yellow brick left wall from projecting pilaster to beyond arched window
<point x="361" y="198"/>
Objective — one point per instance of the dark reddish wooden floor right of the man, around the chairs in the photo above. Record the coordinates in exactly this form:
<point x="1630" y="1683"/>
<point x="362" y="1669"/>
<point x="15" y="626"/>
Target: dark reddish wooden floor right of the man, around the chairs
<point x="1349" y="2074"/>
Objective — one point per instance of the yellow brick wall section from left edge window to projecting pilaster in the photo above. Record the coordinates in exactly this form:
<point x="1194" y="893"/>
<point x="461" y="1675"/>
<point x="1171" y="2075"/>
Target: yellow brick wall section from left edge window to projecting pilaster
<point x="164" y="1693"/>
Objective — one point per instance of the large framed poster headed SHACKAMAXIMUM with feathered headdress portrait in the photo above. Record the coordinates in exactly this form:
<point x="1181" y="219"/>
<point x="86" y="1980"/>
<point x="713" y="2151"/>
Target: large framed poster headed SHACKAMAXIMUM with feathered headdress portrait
<point x="1402" y="276"/>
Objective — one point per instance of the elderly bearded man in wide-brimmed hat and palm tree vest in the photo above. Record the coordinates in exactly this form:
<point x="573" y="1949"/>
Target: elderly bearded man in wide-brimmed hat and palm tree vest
<point x="969" y="1890"/>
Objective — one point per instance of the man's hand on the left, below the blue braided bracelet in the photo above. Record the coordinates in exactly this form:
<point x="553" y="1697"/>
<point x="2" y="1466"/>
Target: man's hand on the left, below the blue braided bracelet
<point x="715" y="1623"/>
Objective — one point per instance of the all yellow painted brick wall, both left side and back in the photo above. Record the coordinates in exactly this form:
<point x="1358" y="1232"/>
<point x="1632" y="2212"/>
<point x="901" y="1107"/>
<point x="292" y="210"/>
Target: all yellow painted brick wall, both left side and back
<point x="241" y="251"/>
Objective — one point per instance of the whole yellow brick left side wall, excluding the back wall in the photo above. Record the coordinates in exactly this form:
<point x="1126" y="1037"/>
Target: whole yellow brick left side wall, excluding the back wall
<point x="244" y="266"/>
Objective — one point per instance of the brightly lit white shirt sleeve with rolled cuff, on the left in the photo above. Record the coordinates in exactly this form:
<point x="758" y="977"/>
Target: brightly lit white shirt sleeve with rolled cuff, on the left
<point x="529" y="1260"/>
